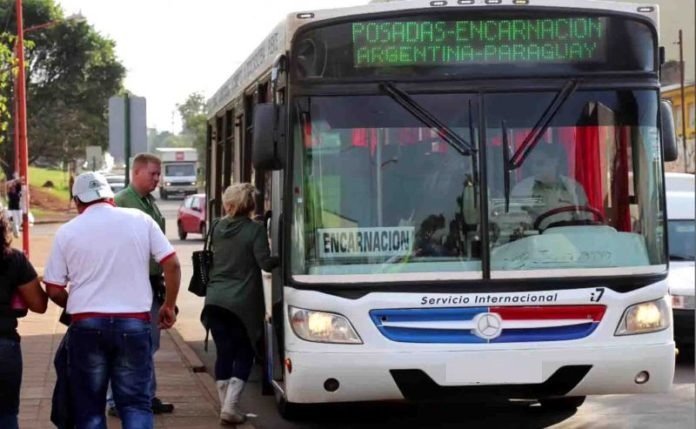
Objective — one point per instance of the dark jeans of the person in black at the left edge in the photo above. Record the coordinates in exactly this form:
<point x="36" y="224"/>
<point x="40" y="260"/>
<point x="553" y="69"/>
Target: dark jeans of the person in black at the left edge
<point x="10" y="382"/>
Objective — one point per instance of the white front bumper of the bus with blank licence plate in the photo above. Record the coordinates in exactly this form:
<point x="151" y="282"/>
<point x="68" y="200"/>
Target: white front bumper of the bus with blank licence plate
<point x="518" y="374"/>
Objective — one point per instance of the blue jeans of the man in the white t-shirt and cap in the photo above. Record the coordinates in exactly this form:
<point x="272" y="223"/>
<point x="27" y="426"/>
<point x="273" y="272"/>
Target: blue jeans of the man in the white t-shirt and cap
<point x="116" y="349"/>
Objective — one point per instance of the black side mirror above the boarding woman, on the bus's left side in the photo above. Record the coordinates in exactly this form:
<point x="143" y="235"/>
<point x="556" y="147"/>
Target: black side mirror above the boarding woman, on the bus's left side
<point x="269" y="137"/>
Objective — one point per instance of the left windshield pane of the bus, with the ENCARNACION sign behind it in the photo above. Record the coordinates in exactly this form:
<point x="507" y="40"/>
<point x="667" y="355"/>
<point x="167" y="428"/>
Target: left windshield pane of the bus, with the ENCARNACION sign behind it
<point x="382" y="193"/>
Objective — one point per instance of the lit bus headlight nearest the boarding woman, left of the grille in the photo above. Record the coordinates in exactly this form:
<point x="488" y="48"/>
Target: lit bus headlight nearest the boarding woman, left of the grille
<point x="322" y="327"/>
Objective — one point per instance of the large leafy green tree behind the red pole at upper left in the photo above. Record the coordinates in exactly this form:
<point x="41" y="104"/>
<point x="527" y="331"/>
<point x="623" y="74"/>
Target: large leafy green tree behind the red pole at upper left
<point x="72" y="72"/>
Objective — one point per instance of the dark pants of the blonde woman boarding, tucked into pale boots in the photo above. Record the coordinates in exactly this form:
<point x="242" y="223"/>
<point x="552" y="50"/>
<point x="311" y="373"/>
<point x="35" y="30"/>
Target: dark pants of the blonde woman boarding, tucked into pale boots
<point x="235" y="355"/>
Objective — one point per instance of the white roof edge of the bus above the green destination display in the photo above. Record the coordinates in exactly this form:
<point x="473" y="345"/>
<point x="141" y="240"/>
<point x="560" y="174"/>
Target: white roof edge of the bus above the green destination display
<point x="259" y="63"/>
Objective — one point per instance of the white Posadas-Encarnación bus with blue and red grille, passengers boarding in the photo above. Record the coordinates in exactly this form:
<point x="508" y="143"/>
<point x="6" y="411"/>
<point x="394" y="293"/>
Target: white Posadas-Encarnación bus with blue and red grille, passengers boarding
<point x="467" y="197"/>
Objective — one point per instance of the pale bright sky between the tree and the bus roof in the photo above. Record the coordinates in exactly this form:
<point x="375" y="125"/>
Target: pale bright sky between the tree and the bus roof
<point x="172" y="48"/>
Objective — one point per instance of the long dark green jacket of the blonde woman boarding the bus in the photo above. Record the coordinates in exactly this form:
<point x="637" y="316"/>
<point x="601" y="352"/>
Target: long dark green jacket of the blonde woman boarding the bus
<point x="240" y="252"/>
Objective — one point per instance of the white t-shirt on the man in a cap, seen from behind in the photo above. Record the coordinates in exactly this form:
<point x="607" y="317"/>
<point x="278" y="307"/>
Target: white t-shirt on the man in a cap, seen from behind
<point x="104" y="255"/>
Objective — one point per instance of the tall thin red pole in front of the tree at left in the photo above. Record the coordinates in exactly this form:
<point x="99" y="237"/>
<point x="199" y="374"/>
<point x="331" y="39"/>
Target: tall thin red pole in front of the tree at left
<point x="22" y="127"/>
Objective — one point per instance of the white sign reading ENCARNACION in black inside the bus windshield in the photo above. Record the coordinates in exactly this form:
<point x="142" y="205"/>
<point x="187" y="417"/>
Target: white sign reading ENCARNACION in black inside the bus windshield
<point x="361" y="242"/>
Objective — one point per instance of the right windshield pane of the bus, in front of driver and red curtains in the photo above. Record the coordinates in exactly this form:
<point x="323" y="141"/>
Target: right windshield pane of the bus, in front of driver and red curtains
<point x="587" y="196"/>
